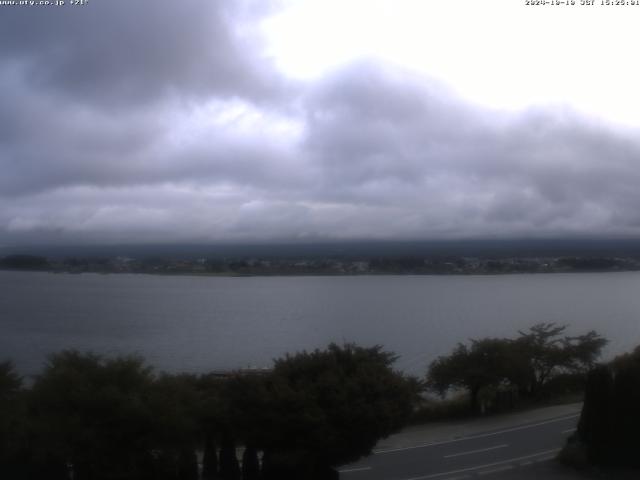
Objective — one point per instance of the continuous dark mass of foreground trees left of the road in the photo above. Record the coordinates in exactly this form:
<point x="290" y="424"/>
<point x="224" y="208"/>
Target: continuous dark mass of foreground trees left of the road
<point x="87" y="417"/>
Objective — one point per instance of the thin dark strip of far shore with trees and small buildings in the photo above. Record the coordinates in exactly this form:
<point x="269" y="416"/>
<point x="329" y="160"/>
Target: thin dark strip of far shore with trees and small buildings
<point x="313" y="265"/>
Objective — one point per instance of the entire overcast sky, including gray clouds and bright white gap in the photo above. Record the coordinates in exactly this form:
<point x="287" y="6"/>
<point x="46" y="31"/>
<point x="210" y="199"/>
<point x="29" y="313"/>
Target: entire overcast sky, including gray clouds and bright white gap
<point x="213" y="120"/>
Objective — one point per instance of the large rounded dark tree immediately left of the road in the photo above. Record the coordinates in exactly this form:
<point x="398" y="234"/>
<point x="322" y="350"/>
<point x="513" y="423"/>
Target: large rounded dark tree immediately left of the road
<point x="329" y="407"/>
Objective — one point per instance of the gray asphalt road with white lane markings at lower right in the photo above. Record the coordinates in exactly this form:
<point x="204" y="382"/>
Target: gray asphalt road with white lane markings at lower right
<point x="493" y="453"/>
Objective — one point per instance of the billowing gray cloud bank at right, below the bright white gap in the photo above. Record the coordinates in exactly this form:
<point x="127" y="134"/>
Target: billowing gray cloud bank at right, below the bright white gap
<point x="386" y="138"/>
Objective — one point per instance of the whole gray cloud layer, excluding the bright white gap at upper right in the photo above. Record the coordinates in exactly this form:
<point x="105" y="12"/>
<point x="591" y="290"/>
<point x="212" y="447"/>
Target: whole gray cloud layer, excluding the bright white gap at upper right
<point x="165" y="121"/>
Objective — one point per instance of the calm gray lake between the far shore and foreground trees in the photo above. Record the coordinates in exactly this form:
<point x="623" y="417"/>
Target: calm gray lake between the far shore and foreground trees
<point x="187" y="323"/>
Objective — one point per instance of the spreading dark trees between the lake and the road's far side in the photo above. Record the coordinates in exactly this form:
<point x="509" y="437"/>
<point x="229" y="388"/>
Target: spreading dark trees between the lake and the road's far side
<point x="527" y="365"/>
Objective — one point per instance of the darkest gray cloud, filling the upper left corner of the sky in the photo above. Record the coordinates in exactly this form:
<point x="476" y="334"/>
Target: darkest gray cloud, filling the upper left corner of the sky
<point x="122" y="52"/>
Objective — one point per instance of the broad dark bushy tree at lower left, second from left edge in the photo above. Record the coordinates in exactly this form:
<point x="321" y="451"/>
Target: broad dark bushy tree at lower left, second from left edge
<point x="92" y="413"/>
